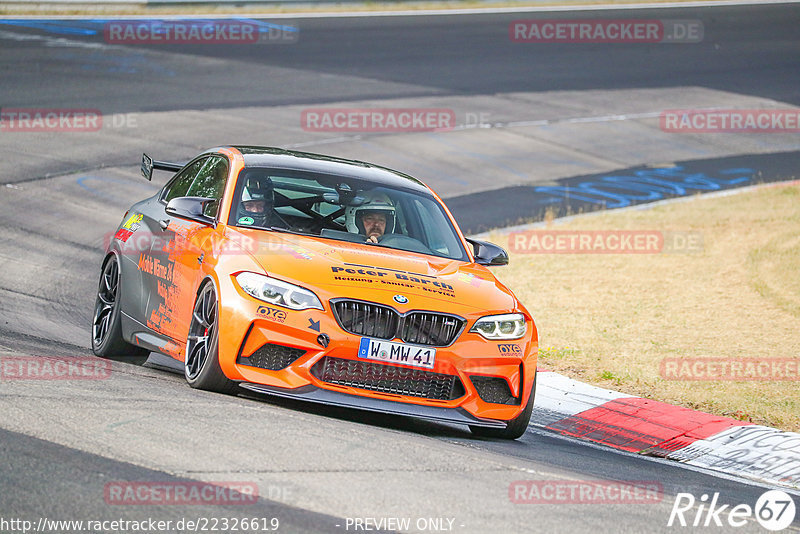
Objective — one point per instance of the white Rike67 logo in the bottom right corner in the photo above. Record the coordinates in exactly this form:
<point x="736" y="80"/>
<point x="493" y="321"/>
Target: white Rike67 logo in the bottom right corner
<point x="774" y="510"/>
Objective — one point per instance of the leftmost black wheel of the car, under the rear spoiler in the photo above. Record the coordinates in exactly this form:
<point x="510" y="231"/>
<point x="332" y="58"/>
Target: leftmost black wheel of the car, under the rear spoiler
<point x="107" y="341"/>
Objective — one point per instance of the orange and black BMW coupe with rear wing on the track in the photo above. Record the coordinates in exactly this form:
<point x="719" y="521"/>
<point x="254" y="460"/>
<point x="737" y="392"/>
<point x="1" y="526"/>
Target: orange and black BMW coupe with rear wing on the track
<point x="321" y="279"/>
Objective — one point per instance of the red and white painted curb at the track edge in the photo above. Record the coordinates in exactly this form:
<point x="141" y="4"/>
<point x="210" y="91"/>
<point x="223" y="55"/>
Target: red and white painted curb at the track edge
<point x="653" y="428"/>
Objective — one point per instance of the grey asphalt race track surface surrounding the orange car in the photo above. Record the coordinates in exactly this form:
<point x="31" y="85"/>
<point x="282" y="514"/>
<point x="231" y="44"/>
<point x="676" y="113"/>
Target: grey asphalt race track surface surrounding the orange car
<point x="530" y="118"/>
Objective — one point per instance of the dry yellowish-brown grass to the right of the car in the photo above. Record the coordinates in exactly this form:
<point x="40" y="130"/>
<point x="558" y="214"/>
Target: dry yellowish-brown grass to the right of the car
<point x="609" y="320"/>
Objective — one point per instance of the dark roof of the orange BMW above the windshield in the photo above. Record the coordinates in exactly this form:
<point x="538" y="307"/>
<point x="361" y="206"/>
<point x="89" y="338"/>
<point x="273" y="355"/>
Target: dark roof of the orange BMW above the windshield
<point x="279" y="158"/>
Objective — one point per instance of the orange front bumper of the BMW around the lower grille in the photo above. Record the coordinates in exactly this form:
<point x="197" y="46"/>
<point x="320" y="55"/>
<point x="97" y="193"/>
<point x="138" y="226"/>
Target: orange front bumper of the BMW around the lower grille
<point x="296" y="372"/>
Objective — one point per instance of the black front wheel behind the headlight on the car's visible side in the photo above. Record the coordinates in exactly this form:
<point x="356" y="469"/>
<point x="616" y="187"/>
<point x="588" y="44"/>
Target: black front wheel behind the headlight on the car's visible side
<point x="202" y="368"/>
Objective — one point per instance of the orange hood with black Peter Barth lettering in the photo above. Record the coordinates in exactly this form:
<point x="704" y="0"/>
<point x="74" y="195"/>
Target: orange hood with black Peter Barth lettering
<point x="335" y="269"/>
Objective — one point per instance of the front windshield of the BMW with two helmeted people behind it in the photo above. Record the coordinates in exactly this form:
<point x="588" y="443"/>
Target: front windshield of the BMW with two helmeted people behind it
<point x="345" y="209"/>
